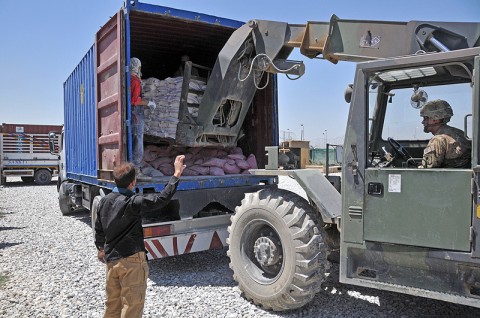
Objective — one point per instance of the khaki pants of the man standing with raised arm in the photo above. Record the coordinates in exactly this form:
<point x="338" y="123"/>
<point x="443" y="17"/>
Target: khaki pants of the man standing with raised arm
<point x="126" y="286"/>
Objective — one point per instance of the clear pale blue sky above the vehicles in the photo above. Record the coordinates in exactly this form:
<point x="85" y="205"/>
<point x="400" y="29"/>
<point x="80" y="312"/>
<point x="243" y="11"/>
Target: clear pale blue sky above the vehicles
<point x="42" y="42"/>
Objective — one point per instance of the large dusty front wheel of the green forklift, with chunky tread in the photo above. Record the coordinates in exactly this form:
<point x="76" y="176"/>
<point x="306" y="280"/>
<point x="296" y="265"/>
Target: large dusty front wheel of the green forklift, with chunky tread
<point x="276" y="251"/>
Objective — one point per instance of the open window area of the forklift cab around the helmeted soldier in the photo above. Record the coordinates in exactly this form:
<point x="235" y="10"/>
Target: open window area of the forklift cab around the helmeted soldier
<point x="396" y="134"/>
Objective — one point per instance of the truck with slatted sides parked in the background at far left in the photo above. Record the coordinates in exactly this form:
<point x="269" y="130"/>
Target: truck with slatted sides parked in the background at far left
<point x="24" y="153"/>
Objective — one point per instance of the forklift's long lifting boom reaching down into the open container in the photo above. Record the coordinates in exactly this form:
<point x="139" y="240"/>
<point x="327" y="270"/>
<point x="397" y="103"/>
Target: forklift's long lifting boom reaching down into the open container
<point x="260" y="47"/>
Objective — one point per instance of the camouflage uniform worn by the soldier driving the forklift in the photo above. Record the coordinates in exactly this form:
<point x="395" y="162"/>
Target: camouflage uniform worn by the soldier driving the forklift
<point x="447" y="149"/>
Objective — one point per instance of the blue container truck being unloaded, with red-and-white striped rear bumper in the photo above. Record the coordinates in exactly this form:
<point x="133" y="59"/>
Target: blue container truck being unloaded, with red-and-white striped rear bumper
<point x="98" y="136"/>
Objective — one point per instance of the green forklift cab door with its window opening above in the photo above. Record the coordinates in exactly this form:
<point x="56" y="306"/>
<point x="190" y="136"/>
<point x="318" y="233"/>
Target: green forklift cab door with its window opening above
<point x="407" y="204"/>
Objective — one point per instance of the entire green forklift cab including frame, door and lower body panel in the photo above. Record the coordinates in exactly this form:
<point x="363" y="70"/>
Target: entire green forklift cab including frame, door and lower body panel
<point x="420" y="216"/>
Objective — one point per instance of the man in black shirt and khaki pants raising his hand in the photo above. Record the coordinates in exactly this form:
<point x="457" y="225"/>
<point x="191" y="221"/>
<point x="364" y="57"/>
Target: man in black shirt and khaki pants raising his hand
<point x="119" y="239"/>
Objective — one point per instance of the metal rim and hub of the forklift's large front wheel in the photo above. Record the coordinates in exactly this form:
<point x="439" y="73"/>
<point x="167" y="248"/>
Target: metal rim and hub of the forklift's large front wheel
<point x="262" y="252"/>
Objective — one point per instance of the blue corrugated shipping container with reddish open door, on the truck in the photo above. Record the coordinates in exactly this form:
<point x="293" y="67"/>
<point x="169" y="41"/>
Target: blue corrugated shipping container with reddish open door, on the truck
<point x="97" y="108"/>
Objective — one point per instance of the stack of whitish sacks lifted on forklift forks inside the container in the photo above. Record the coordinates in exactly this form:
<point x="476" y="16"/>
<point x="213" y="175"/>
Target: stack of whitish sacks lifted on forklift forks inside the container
<point x="162" y="122"/>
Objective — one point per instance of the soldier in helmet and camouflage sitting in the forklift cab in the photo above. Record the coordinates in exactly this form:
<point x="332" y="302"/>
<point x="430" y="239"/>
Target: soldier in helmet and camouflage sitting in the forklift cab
<point x="448" y="147"/>
